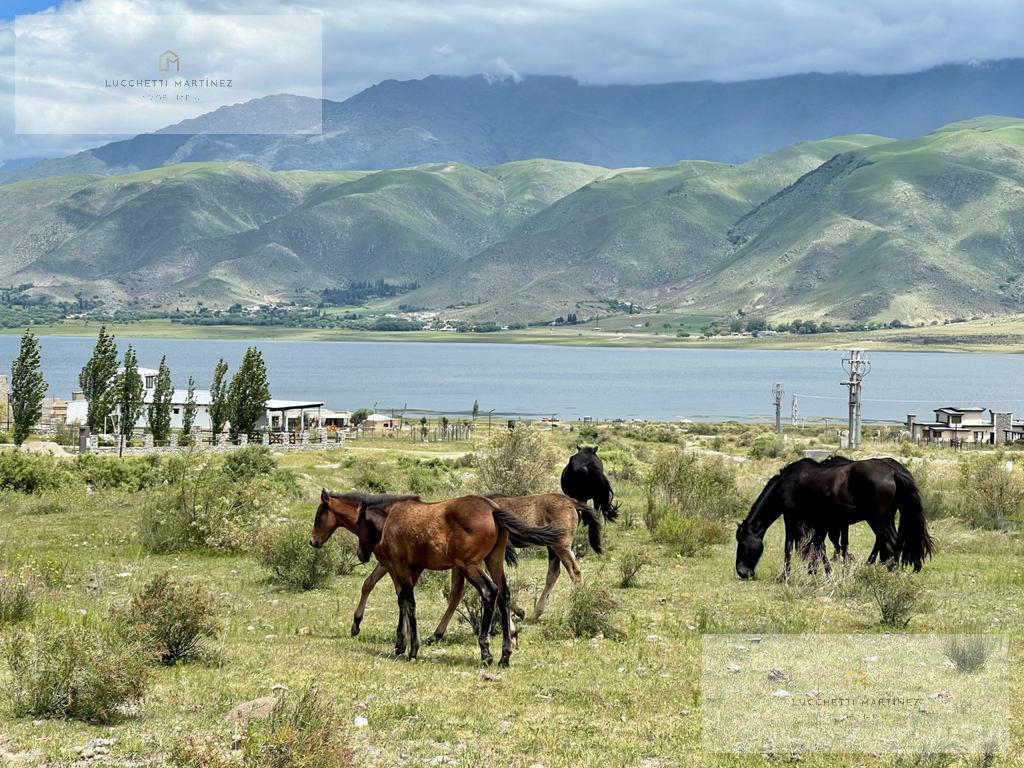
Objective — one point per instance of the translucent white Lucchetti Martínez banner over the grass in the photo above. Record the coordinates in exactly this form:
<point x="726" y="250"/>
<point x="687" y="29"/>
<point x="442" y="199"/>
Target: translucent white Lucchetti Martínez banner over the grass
<point x="856" y="694"/>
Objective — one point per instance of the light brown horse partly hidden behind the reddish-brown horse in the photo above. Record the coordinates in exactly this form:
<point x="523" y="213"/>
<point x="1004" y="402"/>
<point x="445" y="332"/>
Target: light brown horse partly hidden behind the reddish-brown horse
<point x="541" y="509"/>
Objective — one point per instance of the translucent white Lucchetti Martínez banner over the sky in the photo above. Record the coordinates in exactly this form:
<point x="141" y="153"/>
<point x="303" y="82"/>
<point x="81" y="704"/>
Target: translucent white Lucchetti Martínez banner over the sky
<point x="133" y="73"/>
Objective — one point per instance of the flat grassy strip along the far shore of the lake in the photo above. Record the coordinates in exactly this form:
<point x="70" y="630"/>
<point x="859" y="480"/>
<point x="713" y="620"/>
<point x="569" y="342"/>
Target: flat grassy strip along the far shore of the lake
<point x="988" y="335"/>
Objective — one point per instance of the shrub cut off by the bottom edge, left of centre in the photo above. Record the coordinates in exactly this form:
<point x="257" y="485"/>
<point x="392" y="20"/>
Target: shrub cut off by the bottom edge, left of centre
<point x="304" y="735"/>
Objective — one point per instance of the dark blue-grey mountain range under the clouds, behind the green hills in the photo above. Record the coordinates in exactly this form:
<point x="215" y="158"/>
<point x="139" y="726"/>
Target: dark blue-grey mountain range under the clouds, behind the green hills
<point x="482" y="121"/>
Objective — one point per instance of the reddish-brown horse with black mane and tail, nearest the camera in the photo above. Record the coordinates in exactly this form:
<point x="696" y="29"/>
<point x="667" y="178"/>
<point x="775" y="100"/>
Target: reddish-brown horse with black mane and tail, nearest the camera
<point x="470" y="534"/>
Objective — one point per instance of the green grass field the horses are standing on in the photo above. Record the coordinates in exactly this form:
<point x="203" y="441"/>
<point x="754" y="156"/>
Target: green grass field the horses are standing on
<point x="627" y="701"/>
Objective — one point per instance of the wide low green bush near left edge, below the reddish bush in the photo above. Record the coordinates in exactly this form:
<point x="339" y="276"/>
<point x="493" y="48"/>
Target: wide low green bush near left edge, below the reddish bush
<point x="74" y="671"/>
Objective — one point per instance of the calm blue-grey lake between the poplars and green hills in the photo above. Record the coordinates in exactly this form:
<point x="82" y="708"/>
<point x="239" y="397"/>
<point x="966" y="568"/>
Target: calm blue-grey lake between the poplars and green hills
<point x="572" y="382"/>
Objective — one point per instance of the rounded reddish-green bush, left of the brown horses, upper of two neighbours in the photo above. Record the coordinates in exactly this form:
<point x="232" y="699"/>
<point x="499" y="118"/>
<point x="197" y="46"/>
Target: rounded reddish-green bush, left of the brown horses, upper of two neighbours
<point x="172" y="620"/>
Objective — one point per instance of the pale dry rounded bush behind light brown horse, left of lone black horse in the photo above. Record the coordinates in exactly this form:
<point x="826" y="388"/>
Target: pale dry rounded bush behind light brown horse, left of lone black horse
<point x="517" y="462"/>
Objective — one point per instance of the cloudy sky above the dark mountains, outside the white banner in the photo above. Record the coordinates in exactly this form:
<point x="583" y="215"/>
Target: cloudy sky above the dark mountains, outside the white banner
<point x="596" y="41"/>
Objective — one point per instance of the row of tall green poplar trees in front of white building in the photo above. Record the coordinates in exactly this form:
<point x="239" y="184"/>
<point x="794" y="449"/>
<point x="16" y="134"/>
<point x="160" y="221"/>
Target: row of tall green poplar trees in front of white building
<point x="111" y="389"/>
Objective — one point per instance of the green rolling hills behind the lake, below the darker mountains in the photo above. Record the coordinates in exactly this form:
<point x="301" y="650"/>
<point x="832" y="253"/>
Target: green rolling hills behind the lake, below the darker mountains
<point x="856" y="228"/>
